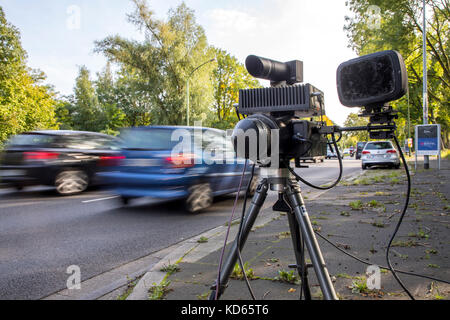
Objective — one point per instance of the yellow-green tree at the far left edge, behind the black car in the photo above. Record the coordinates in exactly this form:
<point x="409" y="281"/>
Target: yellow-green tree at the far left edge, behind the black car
<point x="25" y="103"/>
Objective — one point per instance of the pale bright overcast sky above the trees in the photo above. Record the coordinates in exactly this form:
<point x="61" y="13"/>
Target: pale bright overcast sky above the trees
<point x="307" y="30"/>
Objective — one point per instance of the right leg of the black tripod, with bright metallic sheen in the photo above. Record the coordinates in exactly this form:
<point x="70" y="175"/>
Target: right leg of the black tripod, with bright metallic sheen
<point x="297" y="204"/>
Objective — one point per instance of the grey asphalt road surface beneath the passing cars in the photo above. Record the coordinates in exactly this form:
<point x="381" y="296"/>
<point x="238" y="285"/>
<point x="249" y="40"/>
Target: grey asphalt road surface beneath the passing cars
<point x="42" y="234"/>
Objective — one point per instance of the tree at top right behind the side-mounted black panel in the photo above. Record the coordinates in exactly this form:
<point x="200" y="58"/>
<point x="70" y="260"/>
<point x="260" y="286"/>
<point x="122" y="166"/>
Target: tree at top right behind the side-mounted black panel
<point x="400" y="28"/>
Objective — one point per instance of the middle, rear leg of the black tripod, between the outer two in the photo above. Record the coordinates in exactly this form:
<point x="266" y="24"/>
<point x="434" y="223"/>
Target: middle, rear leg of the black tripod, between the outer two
<point x="299" y="253"/>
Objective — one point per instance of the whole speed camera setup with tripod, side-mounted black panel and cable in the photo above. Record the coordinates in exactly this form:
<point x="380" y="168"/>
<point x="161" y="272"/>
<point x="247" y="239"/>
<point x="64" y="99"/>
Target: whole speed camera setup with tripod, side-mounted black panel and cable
<point x="370" y="82"/>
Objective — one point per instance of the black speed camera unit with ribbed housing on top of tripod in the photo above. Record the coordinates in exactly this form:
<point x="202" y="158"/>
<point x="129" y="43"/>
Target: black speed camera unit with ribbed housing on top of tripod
<point x="279" y="108"/>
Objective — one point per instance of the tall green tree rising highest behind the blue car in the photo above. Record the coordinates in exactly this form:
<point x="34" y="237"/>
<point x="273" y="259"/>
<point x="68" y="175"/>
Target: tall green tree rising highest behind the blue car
<point x="164" y="61"/>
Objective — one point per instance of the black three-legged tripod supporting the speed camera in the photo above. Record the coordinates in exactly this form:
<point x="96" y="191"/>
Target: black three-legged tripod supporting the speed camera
<point x="290" y="201"/>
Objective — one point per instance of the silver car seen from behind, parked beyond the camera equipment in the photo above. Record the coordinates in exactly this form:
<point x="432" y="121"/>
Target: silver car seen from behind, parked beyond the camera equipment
<point x="380" y="153"/>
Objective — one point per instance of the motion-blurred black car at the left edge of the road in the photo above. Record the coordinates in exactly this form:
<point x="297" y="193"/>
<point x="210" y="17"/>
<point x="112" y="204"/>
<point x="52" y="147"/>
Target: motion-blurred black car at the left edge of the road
<point x="68" y="160"/>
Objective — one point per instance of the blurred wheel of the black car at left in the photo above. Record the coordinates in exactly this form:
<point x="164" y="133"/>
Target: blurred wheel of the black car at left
<point x="71" y="182"/>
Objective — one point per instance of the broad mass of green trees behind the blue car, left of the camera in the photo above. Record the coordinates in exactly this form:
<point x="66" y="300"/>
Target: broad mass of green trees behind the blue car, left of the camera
<point x="150" y="85"/>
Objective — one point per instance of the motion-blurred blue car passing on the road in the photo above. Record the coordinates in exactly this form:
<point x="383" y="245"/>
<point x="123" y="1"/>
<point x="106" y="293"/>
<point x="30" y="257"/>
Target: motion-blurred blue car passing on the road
<point x="170" y="162"/>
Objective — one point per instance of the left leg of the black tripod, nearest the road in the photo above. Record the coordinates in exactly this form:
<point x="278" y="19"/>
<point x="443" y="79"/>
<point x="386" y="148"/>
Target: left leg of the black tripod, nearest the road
<point x="249" y="220"/>
